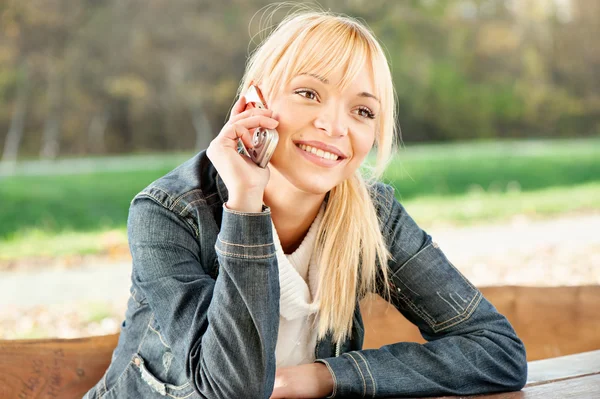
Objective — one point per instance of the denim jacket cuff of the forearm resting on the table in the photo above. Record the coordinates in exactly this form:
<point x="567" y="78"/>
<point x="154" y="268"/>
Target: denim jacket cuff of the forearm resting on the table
<point x="351" y="374"/>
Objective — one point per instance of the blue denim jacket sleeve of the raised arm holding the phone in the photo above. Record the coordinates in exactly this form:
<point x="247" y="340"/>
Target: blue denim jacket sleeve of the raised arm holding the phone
<point x="224" y="328"/>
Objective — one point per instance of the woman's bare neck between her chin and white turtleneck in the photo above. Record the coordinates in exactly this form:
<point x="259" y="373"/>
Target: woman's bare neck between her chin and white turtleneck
<point x="292" y="211"/>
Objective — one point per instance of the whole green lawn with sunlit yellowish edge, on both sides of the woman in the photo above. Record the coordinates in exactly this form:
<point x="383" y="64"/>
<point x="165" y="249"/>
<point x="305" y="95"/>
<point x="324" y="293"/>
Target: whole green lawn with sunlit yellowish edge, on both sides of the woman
<point x="47" y="210"/>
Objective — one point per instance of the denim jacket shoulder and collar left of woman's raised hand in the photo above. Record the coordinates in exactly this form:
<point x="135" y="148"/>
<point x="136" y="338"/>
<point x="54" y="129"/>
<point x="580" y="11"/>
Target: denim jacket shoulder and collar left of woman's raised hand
<point x="193" y="182"/>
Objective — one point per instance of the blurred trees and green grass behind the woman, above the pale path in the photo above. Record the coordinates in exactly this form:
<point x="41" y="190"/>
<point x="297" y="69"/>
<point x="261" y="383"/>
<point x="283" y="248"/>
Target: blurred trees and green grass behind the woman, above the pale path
<point x="499" y="106"/>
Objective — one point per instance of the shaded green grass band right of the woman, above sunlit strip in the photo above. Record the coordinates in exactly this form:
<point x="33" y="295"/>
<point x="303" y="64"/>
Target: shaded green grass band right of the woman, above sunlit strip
<point x="493" y="167"/>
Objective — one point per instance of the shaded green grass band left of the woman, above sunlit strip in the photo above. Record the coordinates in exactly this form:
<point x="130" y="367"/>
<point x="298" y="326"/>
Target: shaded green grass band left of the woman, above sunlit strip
<point x="52" y="204"/>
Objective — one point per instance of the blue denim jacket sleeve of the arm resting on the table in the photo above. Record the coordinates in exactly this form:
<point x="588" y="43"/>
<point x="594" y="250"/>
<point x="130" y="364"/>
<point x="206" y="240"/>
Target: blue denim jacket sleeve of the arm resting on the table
<point x="471" y="348"/>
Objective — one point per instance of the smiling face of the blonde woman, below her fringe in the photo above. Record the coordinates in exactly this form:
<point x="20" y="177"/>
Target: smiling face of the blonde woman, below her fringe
<point x="324" y="133"/>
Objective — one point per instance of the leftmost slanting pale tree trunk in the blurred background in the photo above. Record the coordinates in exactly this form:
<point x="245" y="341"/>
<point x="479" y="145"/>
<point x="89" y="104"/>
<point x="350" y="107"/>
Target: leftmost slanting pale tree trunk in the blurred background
<point x="17" y="124"/>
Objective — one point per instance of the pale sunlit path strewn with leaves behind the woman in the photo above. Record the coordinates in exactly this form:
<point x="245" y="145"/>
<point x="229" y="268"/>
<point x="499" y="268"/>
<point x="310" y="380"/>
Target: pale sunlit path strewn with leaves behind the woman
<point x="560" y="251"/>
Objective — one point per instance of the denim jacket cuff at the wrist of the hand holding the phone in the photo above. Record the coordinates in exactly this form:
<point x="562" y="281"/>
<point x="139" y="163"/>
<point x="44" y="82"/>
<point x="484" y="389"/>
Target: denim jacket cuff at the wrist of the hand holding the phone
<point x="246" y="235"/>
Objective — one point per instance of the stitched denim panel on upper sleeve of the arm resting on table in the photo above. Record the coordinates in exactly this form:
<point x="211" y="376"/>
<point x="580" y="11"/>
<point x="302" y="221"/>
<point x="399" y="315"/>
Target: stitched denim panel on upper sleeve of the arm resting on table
<point x="428" y="288"/>
